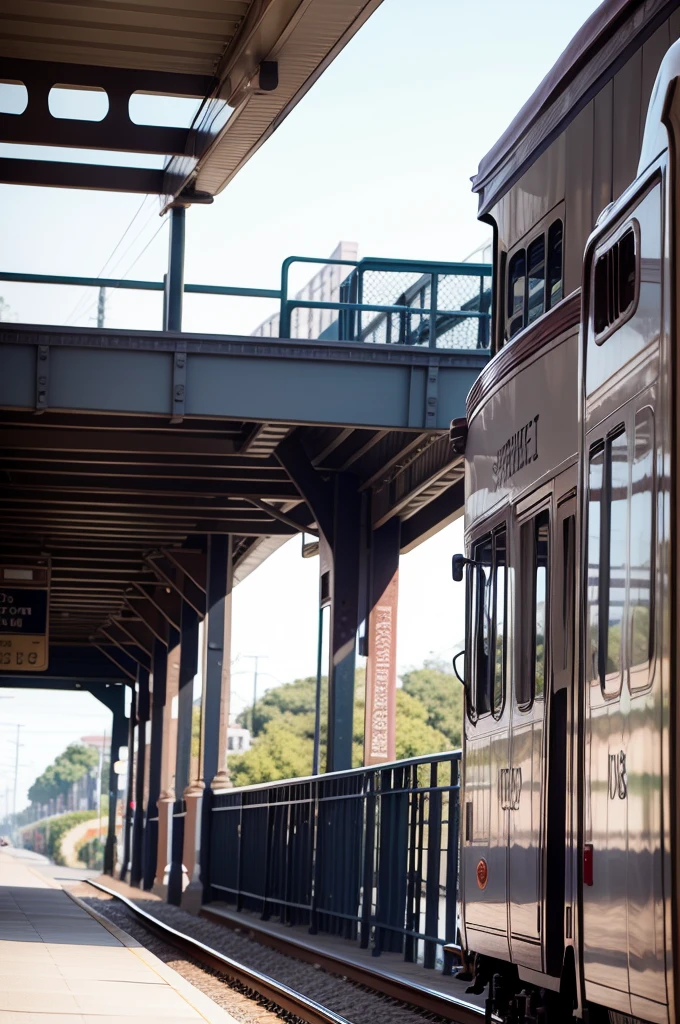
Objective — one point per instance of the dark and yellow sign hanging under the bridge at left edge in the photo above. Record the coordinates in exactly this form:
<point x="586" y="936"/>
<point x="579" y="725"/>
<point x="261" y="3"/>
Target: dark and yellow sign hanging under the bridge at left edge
<point x="24" y="616"/>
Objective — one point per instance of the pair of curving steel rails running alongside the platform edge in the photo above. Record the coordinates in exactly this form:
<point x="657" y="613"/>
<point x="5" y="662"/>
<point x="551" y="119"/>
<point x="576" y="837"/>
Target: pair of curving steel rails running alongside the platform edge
<point x="286" y="998"/>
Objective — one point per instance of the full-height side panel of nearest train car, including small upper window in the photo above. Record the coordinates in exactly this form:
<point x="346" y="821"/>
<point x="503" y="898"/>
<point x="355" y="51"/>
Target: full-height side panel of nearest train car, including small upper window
<point x="623" y="898"/>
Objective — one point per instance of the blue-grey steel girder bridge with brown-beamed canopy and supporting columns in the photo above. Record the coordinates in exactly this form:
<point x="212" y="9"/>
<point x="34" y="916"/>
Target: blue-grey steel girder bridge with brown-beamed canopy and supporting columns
<point x="155" y="471"/>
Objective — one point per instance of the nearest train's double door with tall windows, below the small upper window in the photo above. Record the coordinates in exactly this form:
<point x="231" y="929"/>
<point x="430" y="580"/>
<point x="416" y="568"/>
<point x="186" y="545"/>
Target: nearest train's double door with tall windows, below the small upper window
<point x="623" y="898"/>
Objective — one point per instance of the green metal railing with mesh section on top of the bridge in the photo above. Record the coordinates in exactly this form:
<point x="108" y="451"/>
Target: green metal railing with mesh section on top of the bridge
<point x="441" y="306"/>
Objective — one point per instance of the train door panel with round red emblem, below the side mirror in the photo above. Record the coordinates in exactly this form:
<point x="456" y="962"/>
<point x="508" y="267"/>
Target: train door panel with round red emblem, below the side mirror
<point x="486" y="761"/>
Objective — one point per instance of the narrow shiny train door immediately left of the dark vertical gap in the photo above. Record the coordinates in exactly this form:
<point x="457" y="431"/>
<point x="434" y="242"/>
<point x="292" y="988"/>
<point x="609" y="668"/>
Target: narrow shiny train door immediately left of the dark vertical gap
<point x="525" y="794"/>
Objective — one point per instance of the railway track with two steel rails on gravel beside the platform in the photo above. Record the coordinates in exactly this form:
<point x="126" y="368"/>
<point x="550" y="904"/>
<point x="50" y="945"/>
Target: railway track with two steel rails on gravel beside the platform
<point x="280" y="995"/>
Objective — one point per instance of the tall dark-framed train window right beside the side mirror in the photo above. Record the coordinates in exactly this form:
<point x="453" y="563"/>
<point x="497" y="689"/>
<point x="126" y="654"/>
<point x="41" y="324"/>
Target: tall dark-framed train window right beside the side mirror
<point x="481" y="607"/>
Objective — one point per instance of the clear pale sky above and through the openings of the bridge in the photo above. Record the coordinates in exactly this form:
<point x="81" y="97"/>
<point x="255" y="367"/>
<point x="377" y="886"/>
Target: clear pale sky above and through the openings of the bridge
<point x="380" y="153"/>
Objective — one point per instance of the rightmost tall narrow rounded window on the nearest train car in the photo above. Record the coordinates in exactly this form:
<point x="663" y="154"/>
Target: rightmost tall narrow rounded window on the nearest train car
<point x="642" y="543"/>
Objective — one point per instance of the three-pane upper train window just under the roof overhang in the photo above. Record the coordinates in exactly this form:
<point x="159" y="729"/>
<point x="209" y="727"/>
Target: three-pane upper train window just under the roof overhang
<point x="545" y="237"/>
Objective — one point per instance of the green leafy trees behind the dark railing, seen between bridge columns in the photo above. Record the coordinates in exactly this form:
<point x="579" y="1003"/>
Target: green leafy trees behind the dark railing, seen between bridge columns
<point x="284" y="719"/>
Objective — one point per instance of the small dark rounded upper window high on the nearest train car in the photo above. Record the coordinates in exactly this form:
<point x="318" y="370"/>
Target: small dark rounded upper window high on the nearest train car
<point x="606" y="258"/>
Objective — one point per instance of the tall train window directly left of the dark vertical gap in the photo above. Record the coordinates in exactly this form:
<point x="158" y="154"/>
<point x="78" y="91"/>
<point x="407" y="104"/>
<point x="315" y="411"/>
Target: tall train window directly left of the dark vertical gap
<point x="527" y="697"/>
